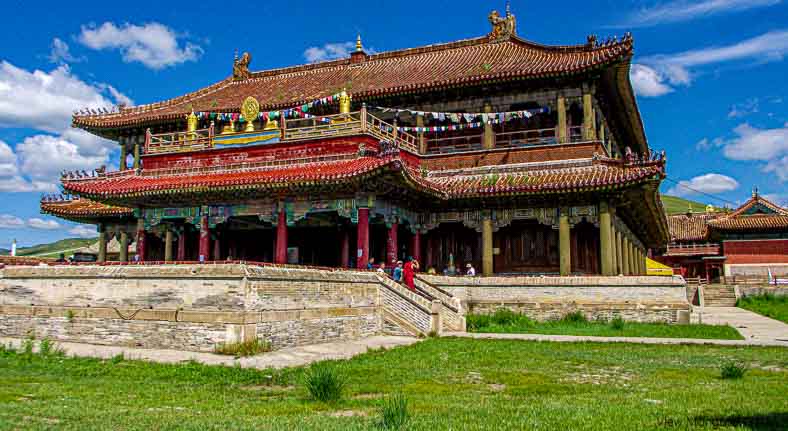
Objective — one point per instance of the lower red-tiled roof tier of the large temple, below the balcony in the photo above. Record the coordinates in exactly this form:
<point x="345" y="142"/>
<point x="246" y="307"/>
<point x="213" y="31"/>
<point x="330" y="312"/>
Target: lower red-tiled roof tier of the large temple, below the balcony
<point x="538" y="178"/>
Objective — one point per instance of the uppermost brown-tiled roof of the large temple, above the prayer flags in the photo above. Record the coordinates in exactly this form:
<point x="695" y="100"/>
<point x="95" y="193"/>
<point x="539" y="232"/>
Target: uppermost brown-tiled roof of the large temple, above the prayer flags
<point x="465" y="62"/>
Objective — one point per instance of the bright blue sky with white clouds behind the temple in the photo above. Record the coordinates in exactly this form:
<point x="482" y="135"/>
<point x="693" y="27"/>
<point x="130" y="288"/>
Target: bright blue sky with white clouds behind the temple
<point x="710" y="77"/>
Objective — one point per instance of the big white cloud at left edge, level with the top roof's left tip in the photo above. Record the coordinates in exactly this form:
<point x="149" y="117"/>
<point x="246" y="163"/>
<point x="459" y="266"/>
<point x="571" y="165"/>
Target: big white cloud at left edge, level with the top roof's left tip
<point x="46" y="100"/>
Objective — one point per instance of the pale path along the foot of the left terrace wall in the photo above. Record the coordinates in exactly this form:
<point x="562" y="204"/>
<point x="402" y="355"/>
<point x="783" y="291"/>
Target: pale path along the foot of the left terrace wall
<point x="288" y="357"/>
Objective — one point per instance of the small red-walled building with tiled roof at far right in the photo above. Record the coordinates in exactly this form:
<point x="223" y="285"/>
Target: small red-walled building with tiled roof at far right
<point x="750" y="241"/>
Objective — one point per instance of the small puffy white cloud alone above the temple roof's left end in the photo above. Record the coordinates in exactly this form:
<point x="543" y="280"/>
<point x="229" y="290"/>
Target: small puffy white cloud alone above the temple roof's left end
<point x="154" y="45"/>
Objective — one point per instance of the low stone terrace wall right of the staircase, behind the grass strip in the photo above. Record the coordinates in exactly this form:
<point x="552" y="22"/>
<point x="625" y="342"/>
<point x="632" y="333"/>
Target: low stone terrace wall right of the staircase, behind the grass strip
<point x="643" y="298"/>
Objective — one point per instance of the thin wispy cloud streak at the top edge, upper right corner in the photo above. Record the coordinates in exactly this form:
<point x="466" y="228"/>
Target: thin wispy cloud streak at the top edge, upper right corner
<point x="684" y="10"/>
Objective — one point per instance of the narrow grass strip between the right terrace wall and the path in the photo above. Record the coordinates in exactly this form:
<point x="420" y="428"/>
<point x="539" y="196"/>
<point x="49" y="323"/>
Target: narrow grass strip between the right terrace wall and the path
<point x="504" y="321"/>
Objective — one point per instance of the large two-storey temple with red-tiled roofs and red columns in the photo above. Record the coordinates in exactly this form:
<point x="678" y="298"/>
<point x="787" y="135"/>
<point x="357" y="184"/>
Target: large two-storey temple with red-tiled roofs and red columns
<point x="515" y="157"/>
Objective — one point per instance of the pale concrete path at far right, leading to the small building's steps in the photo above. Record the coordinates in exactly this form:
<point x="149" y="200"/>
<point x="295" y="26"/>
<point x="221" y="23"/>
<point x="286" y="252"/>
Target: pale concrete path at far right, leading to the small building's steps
<point x="752" y="326"/>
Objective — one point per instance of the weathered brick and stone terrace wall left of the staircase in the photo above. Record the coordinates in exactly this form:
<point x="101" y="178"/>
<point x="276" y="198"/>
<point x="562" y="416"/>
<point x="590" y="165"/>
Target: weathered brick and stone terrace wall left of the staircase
<point x="192" y="307"/>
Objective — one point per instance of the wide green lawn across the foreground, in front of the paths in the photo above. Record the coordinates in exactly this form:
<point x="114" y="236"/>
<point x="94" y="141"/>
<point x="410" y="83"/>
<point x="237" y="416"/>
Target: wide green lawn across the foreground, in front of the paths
<point x="449" y="383"/>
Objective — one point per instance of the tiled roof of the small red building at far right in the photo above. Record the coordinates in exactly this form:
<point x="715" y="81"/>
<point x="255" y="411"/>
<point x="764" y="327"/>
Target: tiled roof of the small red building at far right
<point x="757" y="214"/>
